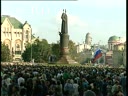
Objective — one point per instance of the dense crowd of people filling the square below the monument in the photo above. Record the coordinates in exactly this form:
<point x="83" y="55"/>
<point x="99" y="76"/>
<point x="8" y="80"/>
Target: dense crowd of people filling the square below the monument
<point x="40" y="80"/>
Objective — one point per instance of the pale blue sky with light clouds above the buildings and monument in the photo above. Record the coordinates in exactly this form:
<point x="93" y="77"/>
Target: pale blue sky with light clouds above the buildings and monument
<point x="101" y="18"/>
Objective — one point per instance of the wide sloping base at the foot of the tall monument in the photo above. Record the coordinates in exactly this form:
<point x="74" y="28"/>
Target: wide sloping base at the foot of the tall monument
<point x="66" y="59"/>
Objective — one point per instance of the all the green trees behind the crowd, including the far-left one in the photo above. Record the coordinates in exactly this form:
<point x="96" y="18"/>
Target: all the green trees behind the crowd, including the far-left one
<point x="40" y="50"/>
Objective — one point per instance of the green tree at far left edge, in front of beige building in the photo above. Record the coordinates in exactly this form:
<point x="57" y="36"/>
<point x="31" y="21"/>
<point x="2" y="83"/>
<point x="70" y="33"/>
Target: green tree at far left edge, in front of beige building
<point x="5" y="53"/>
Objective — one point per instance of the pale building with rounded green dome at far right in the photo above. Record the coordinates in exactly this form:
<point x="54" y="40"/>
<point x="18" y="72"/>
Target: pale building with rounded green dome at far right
<point x="116" y="50"/>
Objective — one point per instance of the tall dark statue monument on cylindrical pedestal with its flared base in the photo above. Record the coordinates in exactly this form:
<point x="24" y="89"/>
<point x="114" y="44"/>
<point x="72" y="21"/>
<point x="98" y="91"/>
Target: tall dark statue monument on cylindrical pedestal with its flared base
<point x="64" y="40"/>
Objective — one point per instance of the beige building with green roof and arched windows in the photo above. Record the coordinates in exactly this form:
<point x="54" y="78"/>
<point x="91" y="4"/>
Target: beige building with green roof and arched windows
<point x="15" y="35"/>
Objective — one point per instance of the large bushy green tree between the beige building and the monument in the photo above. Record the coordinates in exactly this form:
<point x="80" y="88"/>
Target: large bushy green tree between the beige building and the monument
<point x="40" y="51"/>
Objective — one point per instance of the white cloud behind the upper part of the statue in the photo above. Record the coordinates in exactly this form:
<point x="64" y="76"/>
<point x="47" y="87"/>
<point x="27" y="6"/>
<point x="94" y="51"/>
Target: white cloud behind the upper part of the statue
<point x="73" y="21"/>
